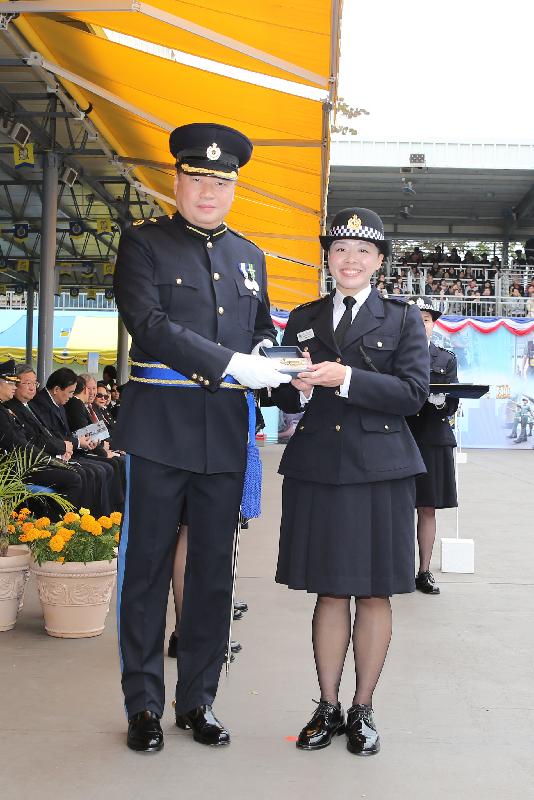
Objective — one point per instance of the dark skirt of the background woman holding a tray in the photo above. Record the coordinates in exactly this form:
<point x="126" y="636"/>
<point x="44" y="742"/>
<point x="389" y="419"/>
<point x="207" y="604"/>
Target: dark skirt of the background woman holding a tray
<point x="436" y="489"/>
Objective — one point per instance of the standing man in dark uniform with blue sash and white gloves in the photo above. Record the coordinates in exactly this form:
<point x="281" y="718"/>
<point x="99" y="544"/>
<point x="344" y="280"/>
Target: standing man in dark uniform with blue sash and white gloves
<point x="193" y="295"/>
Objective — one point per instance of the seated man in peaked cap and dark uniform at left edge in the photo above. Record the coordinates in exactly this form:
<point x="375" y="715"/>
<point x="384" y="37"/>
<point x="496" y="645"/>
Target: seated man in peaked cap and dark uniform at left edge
<point x="54" y="474"/>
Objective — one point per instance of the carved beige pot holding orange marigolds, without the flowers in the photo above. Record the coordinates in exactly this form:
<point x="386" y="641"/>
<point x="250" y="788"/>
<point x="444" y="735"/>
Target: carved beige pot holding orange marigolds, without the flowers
<point x="75" y="596"/>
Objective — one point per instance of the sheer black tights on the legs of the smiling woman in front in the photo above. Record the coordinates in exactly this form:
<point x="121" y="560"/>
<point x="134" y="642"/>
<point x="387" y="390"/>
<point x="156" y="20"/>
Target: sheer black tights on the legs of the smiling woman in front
<point x="331" y="632"/>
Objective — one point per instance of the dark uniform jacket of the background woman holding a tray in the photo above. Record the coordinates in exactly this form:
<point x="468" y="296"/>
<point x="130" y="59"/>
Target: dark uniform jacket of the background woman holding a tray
<point x="431" y="424"/>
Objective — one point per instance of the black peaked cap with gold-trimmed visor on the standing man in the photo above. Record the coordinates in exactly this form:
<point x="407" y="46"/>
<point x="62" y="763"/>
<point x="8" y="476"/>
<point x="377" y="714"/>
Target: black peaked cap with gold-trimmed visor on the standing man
<point x="210" y="149"/>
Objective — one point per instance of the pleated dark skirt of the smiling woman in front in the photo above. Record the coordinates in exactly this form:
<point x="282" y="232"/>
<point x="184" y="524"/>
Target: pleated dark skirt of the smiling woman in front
<point x="356" y="539"/>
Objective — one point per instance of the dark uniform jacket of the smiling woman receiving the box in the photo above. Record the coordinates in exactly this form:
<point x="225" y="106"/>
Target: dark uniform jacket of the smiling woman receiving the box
<point x="362" y="438"/>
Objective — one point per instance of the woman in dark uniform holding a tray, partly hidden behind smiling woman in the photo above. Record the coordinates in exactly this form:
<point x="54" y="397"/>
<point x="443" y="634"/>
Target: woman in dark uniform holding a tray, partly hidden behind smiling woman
<point x="434" y="436"/>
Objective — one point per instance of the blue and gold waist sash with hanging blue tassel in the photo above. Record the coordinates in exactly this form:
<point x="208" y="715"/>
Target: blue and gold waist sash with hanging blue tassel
<point x="156" y="374"/>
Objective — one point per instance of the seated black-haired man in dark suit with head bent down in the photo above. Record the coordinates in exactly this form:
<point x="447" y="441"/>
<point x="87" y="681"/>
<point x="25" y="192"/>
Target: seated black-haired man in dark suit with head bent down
<point x="48" y="405"/>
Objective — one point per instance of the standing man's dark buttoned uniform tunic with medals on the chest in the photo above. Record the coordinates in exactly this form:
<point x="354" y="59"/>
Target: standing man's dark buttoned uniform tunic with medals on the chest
<point x="182" y="295"/>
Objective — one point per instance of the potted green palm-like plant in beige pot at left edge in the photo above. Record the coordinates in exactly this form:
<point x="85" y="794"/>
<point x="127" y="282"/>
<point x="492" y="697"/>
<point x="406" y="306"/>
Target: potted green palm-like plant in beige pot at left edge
<point x="17" y="470"/>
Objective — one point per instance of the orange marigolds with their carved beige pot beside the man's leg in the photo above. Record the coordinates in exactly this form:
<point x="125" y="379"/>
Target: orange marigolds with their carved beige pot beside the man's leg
<point x="75" y="567"/>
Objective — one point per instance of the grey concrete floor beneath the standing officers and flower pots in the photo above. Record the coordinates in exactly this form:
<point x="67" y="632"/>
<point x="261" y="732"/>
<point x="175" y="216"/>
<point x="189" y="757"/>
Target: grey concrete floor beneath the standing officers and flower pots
<point x="455" y="705"/>
